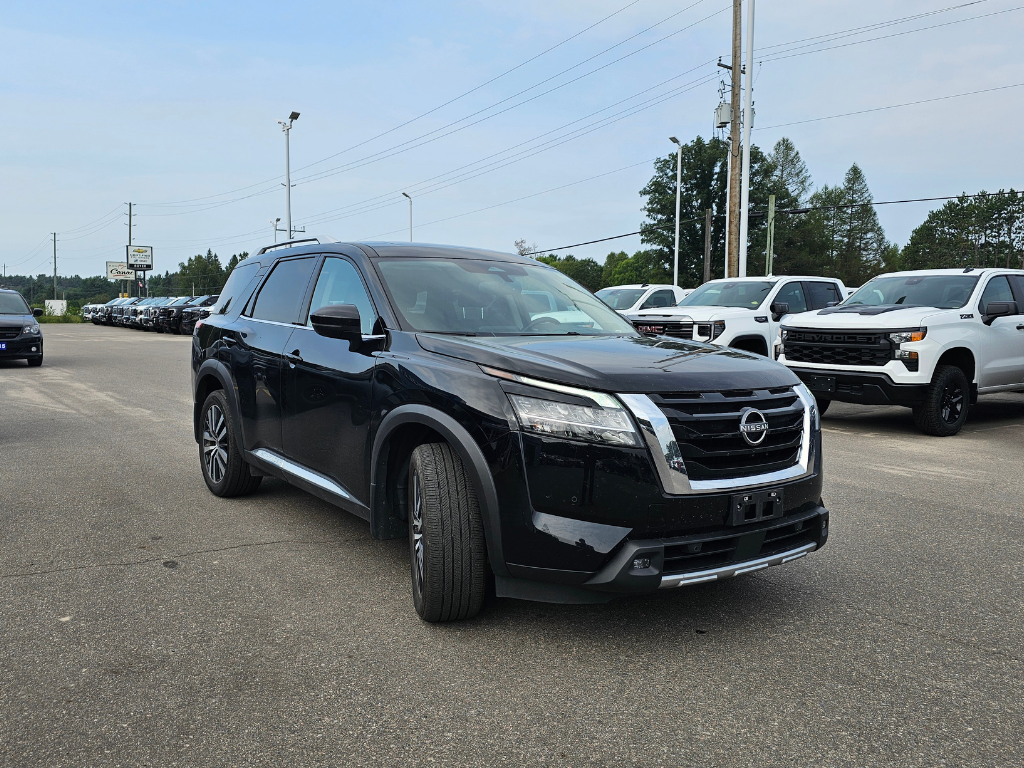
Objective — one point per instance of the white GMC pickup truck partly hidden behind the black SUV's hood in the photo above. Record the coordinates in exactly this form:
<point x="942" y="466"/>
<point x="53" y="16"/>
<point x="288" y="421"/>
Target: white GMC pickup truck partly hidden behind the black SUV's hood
<point x="741" y="313"/>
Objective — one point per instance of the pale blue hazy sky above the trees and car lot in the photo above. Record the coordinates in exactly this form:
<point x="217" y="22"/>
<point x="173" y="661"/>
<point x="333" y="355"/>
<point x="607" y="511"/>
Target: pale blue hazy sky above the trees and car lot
<point x="163" y="103"/>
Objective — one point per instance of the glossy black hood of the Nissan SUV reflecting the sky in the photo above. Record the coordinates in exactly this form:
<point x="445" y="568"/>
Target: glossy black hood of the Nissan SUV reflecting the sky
<point x="617" y="364"/>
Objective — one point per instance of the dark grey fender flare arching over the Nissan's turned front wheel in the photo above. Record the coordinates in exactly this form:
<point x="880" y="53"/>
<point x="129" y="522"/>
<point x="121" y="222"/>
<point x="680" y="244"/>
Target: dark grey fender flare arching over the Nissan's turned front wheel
<point x="473" y="459"/>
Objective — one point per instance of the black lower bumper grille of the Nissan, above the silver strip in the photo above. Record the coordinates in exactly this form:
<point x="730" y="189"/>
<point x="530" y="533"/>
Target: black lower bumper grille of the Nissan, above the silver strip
<point x="703" y="553"/>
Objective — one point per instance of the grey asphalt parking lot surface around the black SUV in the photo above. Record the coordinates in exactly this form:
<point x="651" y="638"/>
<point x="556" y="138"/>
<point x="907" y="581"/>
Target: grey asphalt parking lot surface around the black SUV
<point x="148" y="623"/>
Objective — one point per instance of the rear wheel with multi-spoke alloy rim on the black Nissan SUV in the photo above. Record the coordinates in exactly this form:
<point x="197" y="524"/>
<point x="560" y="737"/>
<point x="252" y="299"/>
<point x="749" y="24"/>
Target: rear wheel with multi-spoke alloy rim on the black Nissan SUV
<point x="225" y="471"/>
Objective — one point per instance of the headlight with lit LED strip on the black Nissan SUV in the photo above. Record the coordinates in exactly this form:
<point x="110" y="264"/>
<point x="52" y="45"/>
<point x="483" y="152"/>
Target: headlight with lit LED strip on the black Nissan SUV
<point x="606" y="421"/>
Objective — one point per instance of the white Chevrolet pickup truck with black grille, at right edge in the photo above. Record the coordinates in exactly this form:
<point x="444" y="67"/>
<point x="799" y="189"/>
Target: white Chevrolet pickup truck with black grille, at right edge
<point x="932" y="340"/>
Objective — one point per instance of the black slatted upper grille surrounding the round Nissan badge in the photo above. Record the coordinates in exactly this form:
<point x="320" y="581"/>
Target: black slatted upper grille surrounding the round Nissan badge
<point x="706" y="426"/>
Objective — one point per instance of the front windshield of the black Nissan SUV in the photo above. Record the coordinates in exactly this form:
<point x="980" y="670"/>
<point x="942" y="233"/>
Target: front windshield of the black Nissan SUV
<point x="495" y="298"/>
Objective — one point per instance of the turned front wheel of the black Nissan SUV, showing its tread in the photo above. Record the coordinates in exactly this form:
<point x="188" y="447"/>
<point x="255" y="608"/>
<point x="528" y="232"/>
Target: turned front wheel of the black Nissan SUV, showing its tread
<point x="446" y="537"/>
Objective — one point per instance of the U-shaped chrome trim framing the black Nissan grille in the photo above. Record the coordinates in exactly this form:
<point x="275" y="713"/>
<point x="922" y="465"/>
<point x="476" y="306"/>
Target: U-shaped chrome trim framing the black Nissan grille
<point x="672" y="471"/>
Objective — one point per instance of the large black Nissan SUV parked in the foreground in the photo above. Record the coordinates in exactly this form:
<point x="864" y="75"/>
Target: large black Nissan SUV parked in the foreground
<point x="506" y="421"/>
